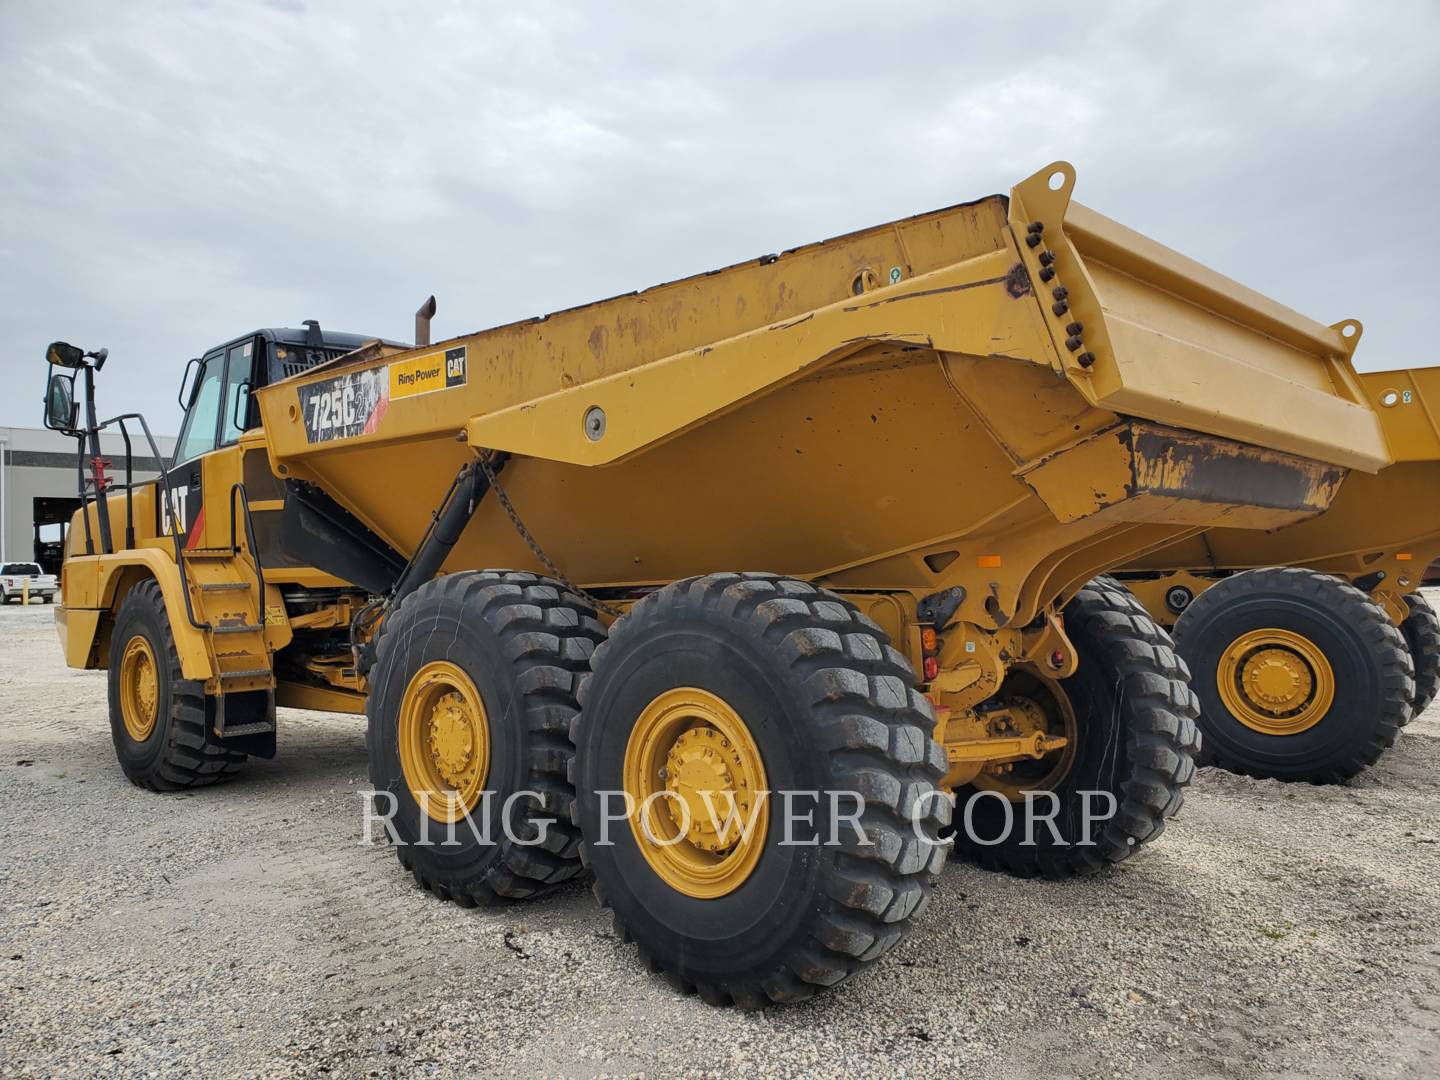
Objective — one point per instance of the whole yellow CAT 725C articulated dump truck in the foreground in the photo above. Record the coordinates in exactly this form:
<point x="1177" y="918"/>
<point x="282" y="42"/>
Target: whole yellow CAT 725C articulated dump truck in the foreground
<point x="728" y="587"/>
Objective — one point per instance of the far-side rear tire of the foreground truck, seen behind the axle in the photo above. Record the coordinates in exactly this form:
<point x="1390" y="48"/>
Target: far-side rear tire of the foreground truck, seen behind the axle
<point x="1137" y="741"/>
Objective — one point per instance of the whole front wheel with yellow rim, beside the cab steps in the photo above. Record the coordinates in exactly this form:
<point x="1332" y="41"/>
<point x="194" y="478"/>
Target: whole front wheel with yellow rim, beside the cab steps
<point x="158" y="718"/>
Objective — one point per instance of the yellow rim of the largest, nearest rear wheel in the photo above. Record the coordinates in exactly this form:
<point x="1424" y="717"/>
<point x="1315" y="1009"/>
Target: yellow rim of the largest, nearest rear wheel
<point x="686" y="745"/>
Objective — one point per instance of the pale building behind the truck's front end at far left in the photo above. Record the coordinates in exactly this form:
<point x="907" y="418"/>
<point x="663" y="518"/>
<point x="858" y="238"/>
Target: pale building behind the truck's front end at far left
<point x="40" y="487"/>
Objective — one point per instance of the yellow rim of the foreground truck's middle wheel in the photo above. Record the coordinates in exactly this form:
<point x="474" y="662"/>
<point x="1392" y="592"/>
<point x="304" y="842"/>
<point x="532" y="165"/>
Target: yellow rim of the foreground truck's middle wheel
<point x="444" y="741"/>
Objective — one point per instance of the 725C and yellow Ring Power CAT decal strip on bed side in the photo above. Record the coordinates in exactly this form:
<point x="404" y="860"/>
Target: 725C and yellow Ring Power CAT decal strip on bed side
<point x="355" y="402"/>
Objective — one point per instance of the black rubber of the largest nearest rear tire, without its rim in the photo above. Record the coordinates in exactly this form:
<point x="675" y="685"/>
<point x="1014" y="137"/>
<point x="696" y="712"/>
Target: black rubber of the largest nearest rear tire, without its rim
<point x="832" y="708"/>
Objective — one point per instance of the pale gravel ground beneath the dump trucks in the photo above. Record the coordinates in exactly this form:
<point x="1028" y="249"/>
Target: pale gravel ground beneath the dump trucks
<point x="247" y="931"/>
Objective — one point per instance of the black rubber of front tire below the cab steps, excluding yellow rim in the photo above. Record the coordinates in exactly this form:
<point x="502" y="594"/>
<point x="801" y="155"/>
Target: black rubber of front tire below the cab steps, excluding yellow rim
<point x="178" y="754"/>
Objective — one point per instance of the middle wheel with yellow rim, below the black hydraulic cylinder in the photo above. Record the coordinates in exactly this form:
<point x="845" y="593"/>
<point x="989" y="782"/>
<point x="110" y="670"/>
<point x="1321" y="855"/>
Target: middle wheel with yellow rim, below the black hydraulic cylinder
<point x="515" y="647"/>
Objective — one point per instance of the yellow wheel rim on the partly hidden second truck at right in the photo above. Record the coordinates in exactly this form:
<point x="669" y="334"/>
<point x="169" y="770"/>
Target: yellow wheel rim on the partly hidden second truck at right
<point x="1277" y="682"/>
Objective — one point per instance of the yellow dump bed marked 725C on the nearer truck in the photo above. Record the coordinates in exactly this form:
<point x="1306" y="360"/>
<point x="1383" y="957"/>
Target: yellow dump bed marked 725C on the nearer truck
<point x="1004" y="379"/>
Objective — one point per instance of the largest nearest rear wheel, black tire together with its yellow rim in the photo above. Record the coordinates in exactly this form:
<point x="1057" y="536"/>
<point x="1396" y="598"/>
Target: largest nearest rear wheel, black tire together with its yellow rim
<point x="734" y="680"/>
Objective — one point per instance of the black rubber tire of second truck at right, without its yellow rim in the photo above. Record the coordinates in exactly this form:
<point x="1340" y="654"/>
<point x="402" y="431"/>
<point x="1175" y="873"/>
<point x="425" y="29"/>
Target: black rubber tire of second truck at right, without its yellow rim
<point x="1367" y="654"/>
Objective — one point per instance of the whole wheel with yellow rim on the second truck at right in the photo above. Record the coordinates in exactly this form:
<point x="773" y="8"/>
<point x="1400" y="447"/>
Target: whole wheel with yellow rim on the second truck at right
<point x="1301" y="676"/>
